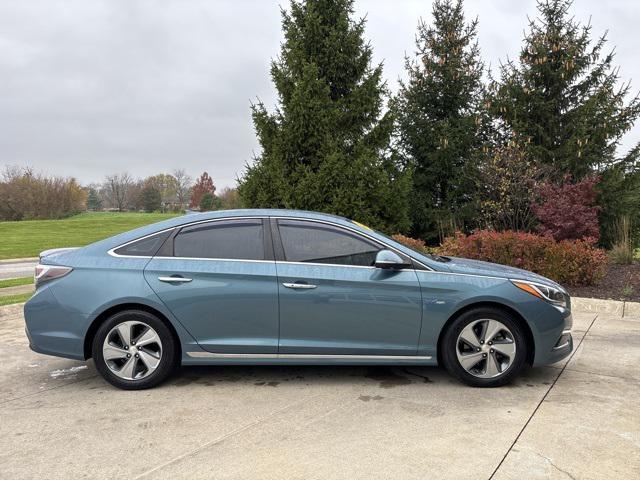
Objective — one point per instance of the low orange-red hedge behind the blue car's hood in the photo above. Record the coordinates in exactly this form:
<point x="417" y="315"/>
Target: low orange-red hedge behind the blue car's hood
<point x="569" y="262"/>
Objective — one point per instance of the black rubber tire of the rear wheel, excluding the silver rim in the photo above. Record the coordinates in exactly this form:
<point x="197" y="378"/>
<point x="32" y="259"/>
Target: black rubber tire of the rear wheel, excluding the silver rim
<point x="168" y="359"/>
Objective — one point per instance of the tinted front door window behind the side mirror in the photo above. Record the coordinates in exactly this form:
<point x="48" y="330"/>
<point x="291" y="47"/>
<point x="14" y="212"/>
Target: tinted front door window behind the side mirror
<point x="320" y="243"/>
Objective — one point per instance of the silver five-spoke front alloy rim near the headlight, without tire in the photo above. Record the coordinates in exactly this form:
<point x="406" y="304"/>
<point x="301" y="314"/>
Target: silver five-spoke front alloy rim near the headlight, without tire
<point x="486" y="348"/>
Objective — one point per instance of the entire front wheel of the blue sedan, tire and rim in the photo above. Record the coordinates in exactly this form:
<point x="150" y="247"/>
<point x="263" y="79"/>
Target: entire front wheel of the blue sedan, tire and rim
<point x="484" y="347"/>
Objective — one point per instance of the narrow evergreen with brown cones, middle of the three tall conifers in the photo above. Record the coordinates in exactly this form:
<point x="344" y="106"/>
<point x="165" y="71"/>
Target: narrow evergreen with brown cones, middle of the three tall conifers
<point x="440" y="122"/>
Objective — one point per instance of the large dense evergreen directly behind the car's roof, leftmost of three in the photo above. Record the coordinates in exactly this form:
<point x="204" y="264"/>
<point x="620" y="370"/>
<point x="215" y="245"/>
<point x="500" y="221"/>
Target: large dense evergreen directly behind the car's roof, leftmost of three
<point x="326" y="147"/>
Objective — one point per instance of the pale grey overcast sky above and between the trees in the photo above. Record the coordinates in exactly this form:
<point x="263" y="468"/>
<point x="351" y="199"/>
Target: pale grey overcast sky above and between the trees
<point x="91" y="87"/>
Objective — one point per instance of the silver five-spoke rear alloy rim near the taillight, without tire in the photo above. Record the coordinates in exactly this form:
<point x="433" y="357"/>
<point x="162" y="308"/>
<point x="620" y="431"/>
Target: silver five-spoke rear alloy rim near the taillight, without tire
<point x="132" y="350"/>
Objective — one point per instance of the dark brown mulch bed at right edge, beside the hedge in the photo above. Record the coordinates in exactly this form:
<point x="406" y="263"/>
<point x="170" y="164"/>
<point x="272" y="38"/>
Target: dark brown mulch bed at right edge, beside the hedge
<point x="622" y="282"/>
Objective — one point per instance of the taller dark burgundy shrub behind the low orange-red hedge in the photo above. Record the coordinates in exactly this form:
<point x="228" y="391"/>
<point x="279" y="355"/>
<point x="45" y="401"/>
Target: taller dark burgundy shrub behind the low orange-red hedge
<point x="568" y="211"/>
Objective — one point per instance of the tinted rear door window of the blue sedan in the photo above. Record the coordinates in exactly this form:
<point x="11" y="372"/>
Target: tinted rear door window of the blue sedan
<point x="232" y="239"/>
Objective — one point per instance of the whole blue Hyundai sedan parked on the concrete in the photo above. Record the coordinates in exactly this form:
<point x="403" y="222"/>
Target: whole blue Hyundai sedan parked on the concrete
<point x="288" y="287"/>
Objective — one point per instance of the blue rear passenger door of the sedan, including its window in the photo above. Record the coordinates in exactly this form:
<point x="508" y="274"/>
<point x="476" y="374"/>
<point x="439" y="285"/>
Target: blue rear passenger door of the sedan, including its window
<point x="219" y="279"/>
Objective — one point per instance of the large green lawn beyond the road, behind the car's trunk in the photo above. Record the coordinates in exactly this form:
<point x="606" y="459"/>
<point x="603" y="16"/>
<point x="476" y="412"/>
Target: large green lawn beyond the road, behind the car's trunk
<point x="28" y="238"/>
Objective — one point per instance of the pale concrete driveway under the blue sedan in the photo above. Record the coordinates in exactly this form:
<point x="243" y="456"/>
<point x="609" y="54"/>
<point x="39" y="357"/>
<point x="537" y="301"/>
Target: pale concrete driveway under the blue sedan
<point x="577" y="419"/>
